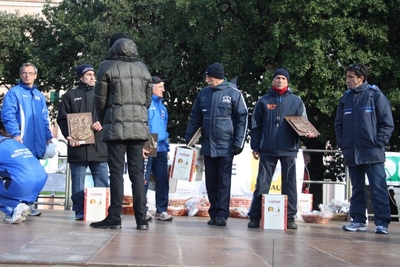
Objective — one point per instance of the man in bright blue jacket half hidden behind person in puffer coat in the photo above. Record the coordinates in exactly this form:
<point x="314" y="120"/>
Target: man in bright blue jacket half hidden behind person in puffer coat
<point x="158" y="121"/>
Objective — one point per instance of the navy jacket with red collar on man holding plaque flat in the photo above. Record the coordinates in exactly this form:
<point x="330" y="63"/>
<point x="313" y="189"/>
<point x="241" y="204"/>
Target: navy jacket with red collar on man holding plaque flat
<point x="271" y="135"/>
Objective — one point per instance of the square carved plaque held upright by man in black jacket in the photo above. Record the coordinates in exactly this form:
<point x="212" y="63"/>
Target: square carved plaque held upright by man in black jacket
<point x="80" y="128"/>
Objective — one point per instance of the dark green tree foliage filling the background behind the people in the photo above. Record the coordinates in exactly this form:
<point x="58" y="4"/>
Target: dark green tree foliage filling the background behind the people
<point x="177" y="39"/>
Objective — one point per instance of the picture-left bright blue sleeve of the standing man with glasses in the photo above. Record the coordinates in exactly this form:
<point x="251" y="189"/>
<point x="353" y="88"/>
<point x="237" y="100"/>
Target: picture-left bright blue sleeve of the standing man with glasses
<point x="9" y="114"/>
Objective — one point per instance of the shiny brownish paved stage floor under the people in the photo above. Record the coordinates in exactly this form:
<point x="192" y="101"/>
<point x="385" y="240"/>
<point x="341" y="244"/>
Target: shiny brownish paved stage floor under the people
<point x="56" y="239"/>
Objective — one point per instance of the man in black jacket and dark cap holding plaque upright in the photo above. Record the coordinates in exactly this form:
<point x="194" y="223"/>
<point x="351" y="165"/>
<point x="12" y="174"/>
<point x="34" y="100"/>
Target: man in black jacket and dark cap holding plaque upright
<point x="80" y="155"/>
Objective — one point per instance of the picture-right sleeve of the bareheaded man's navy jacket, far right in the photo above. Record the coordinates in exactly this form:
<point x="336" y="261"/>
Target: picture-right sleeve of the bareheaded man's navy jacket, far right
<point x="385" y="123"/>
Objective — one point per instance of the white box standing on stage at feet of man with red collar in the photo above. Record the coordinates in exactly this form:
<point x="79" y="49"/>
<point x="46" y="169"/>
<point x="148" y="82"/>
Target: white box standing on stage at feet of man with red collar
<point x="274" y="212"/>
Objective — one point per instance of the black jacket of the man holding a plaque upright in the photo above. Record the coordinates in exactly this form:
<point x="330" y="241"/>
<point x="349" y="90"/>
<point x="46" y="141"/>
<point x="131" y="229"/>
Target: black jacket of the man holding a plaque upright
<point x="81" y="100"/>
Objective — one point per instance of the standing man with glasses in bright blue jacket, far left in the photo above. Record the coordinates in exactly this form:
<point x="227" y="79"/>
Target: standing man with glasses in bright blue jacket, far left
<point x="25" y="115"/>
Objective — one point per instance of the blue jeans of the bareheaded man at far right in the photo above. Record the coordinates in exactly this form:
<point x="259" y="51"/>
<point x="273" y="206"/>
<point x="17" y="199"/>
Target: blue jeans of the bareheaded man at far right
<point x="379" y="193"/>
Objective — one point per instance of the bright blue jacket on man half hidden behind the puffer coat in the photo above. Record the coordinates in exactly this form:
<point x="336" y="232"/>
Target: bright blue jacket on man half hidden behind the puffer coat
<point x="158" y="121"/>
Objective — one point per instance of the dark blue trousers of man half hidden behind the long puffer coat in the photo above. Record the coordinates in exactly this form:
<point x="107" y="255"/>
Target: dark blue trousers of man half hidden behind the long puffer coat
<point x="159" y="167"/>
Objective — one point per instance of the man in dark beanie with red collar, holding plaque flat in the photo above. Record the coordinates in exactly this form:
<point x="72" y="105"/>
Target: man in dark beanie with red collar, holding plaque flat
<point x="273" y="139"/>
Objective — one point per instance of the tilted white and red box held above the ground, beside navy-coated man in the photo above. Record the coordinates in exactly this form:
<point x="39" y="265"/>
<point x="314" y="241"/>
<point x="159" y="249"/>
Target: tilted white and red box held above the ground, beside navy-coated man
<point x="188" y="164"/>
